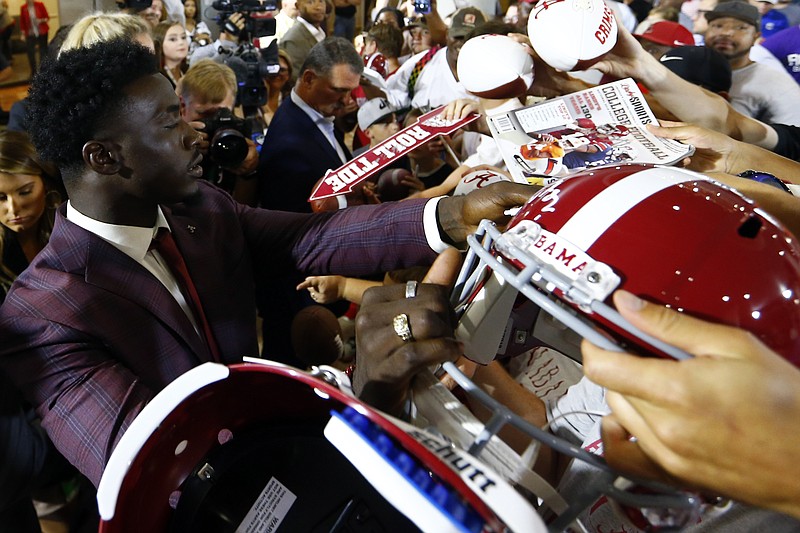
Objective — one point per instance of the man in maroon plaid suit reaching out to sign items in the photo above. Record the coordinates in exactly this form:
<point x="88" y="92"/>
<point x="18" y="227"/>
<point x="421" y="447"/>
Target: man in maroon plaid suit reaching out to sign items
<point x="99" y="324"/>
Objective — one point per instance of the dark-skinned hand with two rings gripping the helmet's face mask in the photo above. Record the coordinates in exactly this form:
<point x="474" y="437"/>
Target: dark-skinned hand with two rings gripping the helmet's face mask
<point x="386" y="363"/>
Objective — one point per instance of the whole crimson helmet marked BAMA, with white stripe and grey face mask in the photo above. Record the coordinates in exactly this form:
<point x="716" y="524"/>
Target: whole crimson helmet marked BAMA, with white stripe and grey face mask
<point x="668" y="235"/>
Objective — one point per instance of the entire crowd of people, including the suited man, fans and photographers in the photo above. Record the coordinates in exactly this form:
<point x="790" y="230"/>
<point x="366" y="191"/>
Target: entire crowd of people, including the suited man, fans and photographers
<point x="154" y="219"/>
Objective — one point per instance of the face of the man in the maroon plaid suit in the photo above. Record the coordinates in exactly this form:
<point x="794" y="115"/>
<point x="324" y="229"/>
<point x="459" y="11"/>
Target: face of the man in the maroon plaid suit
<point x="157" y="149"/>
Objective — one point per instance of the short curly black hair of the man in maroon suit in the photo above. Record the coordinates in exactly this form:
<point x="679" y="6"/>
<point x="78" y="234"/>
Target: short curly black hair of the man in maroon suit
<point x="72" y="96"/>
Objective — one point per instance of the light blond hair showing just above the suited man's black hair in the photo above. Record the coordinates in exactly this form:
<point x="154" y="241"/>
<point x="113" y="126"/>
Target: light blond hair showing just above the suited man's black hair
<point x="100" y="27"/>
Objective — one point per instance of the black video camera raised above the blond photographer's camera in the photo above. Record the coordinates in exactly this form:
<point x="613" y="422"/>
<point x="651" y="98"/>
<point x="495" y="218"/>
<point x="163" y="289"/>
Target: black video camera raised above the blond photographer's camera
<point x="257" y="56"/>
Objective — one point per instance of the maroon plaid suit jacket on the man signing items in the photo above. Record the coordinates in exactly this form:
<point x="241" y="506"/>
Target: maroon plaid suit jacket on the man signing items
<point x="89" y="336"/>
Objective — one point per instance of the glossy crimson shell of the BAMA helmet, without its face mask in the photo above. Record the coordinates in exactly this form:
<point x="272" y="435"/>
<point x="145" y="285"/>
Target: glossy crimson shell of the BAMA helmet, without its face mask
<point x="668" y="235"/>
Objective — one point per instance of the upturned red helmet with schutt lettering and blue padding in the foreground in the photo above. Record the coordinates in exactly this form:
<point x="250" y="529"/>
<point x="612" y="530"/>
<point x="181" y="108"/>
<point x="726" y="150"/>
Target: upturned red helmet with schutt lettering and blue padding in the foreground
<point x="264" y="447"/>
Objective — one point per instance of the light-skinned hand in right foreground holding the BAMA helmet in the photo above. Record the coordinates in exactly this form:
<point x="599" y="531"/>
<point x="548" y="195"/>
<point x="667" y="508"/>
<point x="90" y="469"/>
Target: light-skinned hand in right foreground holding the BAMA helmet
<point x="725" y="421"/>
